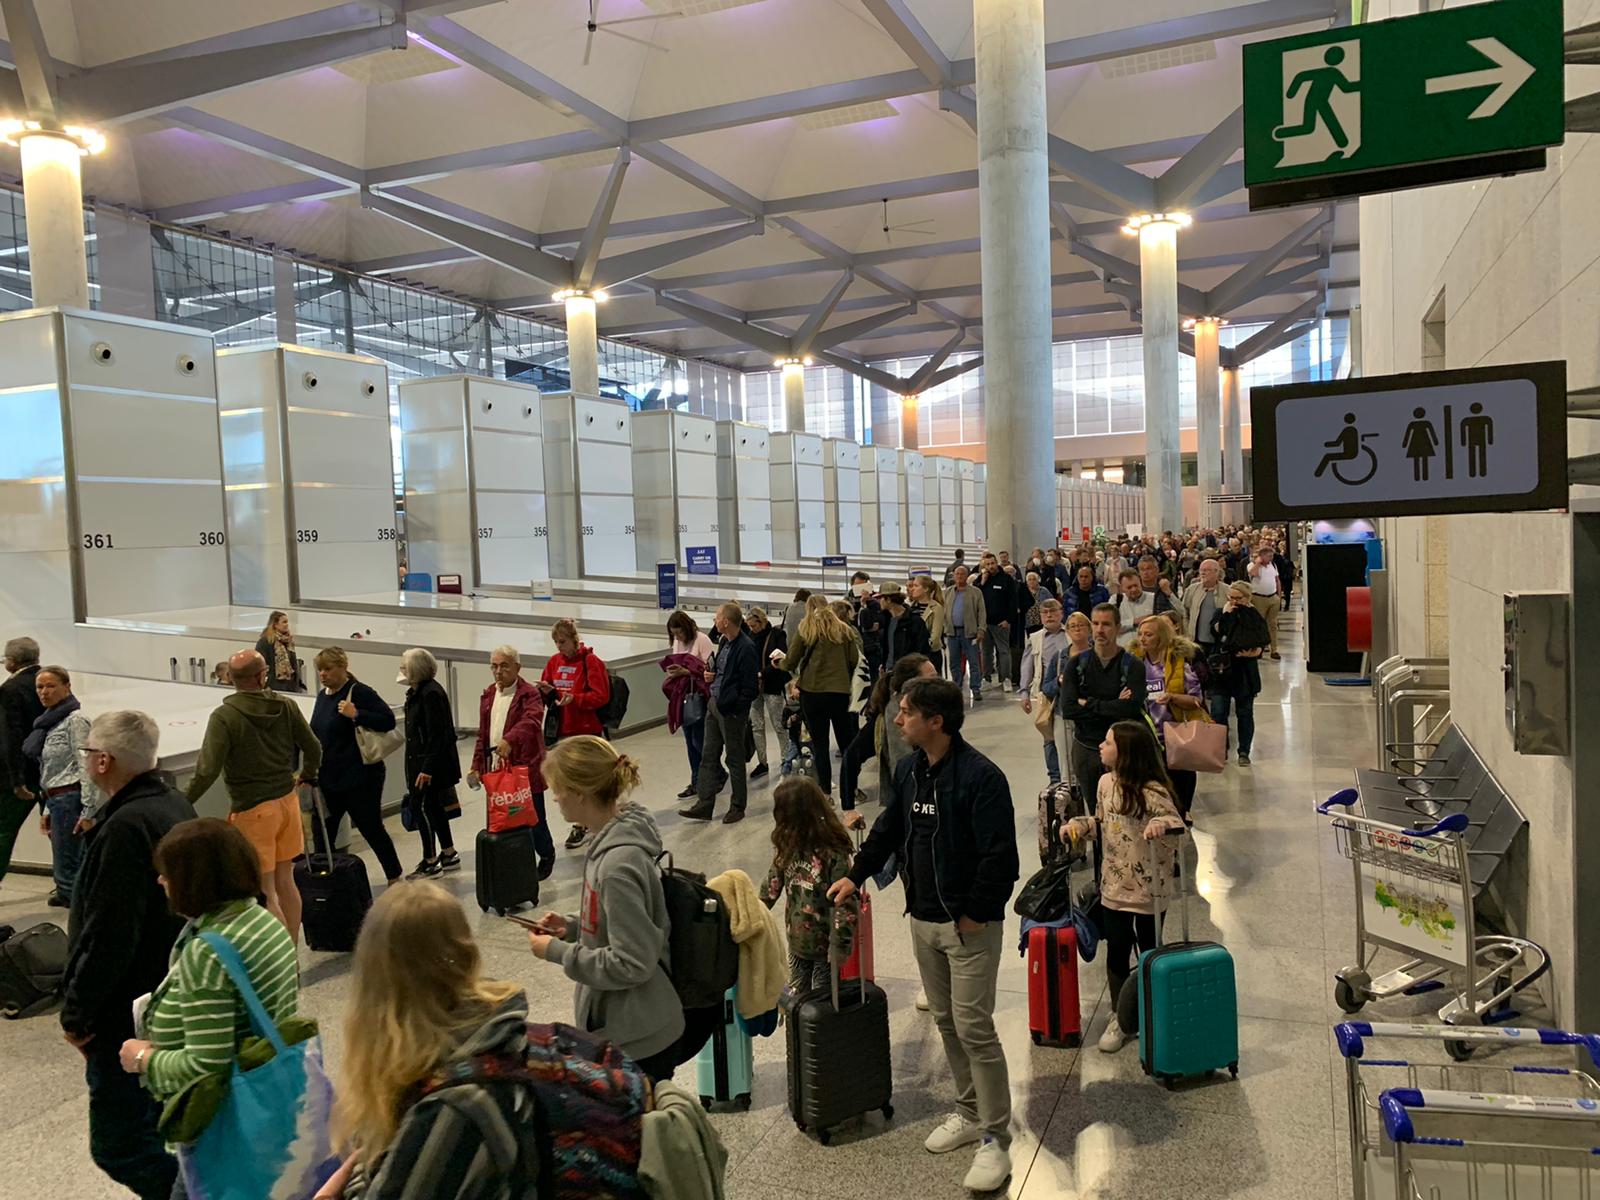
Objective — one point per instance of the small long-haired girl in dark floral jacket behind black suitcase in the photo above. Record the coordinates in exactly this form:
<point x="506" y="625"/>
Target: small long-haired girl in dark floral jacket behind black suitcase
<point x="814" y="854"/>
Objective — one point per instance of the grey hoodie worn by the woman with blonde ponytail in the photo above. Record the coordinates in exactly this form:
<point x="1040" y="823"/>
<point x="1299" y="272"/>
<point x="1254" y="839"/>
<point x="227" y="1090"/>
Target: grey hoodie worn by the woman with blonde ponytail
<point x="617" y="945"/>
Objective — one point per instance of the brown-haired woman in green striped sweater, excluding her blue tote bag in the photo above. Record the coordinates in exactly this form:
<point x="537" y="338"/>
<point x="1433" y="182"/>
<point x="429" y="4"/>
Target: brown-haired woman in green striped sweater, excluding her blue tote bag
<point x="194" y="1020"/>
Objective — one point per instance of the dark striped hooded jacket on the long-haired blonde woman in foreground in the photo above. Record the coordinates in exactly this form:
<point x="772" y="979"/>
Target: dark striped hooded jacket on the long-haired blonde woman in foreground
<point x="457" y="1143"/>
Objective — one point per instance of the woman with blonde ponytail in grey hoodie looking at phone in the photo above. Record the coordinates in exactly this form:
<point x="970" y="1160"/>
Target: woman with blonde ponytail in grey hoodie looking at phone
<point x="615" y="948"/>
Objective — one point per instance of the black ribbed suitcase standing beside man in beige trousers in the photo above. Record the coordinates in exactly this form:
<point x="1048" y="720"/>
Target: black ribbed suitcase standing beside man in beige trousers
<point x="839" y="1055"/>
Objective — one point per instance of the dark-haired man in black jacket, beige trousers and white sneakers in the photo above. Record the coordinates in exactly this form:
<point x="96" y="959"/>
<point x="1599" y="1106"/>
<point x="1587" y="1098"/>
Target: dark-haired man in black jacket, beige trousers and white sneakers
<point x="951" y="823"/>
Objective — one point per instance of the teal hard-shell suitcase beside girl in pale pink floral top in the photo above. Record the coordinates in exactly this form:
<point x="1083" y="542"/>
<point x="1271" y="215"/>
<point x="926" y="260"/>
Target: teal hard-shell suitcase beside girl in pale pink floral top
<point x="1188" y="1007"/>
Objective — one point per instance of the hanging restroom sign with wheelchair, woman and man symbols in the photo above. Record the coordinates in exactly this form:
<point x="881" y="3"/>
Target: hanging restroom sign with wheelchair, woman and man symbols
<point x="1407" y="446"/>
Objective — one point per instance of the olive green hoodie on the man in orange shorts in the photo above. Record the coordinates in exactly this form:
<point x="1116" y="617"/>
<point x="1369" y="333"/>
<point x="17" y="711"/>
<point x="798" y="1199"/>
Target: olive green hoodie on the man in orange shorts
<point x="250" y="742"/>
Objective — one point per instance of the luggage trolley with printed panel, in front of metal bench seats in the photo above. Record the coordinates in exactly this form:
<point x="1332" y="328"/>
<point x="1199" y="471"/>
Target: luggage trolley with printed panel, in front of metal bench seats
<point x="1414" y="894"/>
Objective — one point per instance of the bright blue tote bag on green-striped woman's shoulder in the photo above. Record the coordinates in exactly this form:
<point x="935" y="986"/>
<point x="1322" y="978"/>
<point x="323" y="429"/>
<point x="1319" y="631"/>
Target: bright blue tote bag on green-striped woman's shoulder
<point x="271" y="1137"/>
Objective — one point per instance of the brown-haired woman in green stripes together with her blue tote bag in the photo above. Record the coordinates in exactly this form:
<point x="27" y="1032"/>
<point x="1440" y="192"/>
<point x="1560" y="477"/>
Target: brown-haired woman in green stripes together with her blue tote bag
<point x="244" y="1097"/>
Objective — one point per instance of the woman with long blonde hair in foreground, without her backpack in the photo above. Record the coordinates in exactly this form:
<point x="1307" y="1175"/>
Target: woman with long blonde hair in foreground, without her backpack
<point x="420" y="1006"/>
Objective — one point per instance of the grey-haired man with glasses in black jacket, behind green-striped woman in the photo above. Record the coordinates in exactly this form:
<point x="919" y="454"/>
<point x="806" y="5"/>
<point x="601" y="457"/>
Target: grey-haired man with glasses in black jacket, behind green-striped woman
<point x="122" y="934"/>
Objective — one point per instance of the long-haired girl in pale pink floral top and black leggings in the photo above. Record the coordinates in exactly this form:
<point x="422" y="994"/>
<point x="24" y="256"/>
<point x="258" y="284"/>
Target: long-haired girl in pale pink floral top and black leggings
<point x="1134" y="806"/>
